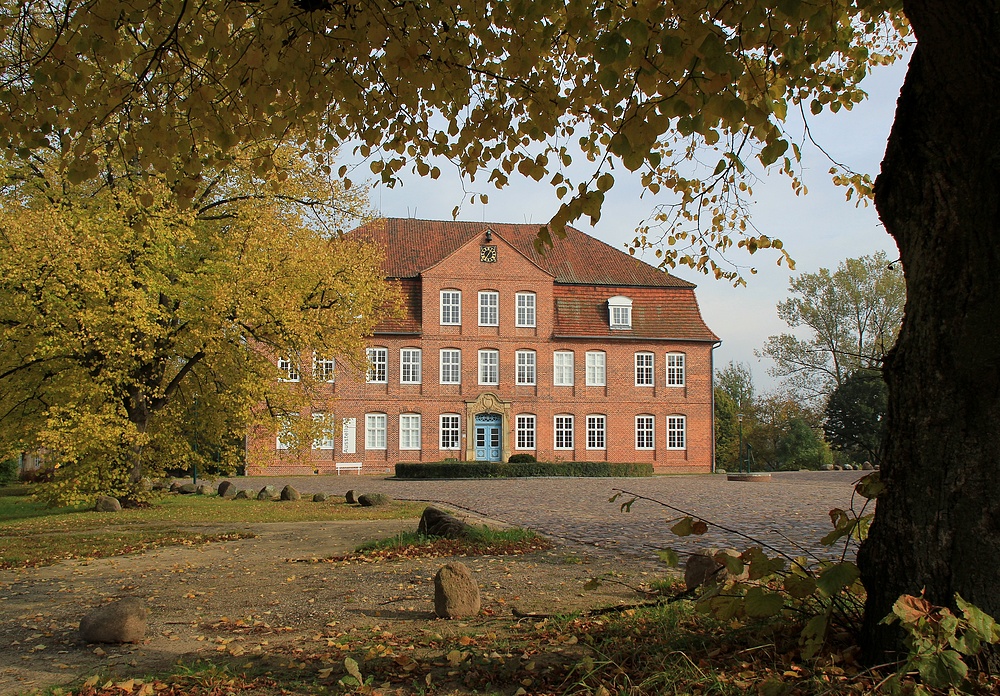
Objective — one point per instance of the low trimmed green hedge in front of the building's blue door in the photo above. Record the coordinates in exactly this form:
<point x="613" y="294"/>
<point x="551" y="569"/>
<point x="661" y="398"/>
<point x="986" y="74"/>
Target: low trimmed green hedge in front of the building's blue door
<point x="518" y="469"/>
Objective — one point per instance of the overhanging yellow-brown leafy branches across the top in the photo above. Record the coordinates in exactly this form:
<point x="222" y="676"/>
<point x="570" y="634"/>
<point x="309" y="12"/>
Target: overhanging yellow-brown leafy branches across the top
<point x="496" y="87"/>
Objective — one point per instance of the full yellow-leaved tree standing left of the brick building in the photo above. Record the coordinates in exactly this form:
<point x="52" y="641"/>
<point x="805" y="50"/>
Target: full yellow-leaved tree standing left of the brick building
<point x="140" y="335"/>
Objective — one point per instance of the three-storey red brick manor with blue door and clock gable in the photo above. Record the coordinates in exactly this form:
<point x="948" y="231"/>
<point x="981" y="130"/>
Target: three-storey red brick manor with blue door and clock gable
<point x="581" y="354"/>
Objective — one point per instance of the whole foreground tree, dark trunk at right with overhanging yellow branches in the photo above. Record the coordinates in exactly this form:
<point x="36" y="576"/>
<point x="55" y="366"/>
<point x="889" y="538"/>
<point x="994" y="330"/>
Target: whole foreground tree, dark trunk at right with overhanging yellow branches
<point x="659" y="89"/>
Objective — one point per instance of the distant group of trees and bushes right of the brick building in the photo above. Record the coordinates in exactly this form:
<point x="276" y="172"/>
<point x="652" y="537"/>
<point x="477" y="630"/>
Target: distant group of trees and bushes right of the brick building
<point x="830" y="407"/>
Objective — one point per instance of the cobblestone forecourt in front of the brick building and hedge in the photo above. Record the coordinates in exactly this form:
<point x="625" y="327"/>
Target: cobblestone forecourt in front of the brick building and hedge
<point x="789" y="513"/>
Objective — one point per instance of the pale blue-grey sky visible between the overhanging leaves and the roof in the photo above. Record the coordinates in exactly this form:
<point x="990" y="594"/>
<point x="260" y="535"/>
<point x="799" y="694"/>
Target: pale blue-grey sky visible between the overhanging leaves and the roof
<point x="819" y="229"/>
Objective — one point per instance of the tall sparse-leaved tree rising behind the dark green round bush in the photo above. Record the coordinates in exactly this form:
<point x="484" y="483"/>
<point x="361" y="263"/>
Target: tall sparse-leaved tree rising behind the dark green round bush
<point x="846" y="320"/>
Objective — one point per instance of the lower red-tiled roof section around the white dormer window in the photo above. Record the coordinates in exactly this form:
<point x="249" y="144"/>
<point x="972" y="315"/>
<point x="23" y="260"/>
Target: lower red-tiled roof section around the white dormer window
<point x="656" y="313"/>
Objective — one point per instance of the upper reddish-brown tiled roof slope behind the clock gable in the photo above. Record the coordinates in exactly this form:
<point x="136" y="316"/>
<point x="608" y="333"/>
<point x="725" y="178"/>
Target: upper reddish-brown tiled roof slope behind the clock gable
<point x="412" y="246"/>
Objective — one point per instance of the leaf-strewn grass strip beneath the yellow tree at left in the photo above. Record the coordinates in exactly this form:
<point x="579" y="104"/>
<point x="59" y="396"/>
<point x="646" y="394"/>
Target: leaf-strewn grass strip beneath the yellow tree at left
<point x="32" y="534"/>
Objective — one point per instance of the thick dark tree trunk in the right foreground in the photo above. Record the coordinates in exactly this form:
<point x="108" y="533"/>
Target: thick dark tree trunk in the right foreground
<point x="937" y="528"/>
